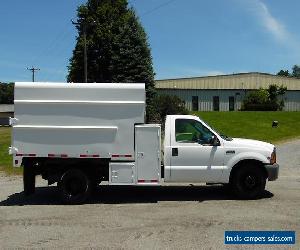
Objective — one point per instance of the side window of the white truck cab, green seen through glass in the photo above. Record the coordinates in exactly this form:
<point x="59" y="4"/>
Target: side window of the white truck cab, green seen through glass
<point x="191" y="131"/>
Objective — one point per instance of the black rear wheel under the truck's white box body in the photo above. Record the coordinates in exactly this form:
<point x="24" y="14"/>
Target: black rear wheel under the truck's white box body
<point x="75" y="187"/>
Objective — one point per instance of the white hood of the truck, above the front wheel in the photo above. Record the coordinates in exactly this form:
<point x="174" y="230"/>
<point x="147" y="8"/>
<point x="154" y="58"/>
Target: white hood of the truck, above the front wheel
<point x="248" y="143"/>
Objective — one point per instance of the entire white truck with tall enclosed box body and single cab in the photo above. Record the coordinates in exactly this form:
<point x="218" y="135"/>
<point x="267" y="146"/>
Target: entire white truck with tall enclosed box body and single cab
<point x="78" y="135"/>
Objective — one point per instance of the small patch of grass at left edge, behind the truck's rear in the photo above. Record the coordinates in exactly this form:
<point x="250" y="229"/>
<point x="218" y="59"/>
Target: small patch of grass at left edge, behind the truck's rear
<point x="5" y="158"/>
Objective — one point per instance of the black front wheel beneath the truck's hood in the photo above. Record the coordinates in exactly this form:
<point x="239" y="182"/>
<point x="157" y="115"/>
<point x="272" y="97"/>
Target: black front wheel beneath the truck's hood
<point x="249" y="182"/>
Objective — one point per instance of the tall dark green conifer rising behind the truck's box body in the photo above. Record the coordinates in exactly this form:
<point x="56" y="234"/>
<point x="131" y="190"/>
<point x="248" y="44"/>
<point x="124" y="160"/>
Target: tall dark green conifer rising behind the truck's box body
<point x="117" y="47"/>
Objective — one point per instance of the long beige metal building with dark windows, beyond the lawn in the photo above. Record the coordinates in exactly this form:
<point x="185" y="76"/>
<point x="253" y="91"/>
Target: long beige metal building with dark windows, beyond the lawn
<point x="226" y="92"/>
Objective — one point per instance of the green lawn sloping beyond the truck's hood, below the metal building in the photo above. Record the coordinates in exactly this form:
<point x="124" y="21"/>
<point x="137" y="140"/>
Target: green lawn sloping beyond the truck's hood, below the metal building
<point x="255" y="125"/>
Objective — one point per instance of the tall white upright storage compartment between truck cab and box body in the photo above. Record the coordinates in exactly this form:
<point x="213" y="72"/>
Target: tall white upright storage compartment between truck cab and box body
<point x="147" y="149"/>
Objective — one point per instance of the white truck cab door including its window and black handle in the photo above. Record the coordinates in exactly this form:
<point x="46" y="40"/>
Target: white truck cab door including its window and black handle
<point x="194" y="158"/>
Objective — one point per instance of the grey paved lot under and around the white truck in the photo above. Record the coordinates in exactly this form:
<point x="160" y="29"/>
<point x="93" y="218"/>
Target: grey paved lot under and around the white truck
<point x="180" y="217"/>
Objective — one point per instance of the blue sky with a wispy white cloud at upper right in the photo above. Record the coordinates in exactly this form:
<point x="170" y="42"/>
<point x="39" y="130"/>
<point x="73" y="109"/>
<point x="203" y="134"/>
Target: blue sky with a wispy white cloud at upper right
<point x="188" y="38"/>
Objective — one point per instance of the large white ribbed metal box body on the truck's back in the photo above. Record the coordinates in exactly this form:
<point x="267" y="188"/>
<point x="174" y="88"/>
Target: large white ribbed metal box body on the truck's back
<point x="77" y="120"/>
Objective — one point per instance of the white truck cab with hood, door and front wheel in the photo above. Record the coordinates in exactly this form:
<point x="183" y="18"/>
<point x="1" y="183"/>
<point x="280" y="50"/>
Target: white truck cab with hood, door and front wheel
<point x="195" y="152"/>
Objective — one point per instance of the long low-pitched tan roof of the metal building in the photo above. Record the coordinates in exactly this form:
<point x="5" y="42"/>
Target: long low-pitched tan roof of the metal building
<point x="252" y="80"/>
